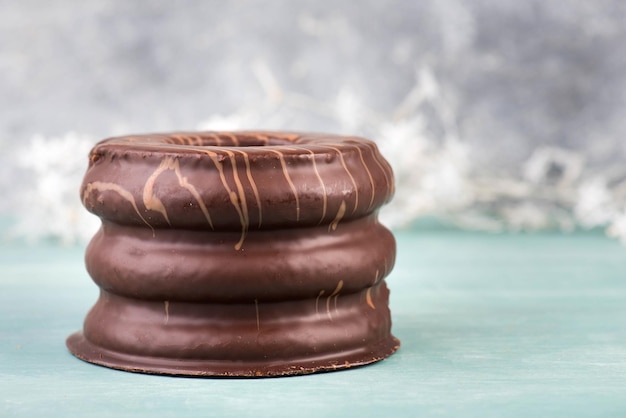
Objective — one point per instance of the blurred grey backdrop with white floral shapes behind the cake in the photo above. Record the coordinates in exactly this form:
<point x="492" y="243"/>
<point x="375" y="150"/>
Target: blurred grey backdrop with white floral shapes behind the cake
<point x="496" y="115"/>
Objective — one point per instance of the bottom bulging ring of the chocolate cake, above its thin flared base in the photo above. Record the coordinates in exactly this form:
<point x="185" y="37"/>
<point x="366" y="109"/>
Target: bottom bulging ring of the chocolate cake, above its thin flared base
<point x="311" y="329"/>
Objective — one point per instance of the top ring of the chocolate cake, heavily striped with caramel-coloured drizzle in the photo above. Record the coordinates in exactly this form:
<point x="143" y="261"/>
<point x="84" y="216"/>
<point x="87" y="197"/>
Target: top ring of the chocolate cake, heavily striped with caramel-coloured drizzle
<point x="164" y="181"/>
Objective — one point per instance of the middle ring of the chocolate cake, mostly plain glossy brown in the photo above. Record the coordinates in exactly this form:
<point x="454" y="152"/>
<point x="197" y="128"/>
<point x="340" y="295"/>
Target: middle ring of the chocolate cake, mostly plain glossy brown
<point x="202" y="266"/>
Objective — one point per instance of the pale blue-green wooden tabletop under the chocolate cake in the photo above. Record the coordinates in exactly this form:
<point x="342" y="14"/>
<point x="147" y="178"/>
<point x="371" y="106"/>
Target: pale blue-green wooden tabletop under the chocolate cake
<point x="511" y="325"/>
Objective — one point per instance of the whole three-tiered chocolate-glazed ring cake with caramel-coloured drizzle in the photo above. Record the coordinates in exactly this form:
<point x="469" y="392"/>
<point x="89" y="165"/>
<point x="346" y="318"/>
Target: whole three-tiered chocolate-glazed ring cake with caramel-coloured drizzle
<point x="237" y="254"/>
